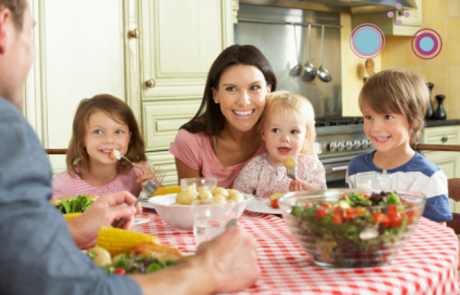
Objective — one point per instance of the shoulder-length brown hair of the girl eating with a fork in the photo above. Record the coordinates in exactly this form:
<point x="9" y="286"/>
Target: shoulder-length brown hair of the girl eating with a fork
<point x="77" y="158"/>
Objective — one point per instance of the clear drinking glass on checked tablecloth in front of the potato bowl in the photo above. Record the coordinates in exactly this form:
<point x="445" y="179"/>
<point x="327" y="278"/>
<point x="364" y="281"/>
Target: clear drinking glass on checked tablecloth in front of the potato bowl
<point x="210" y="220"/>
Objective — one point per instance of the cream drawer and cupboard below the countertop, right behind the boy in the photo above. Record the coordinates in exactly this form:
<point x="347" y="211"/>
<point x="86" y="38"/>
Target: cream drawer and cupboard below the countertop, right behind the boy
<point x="449" y="162"/>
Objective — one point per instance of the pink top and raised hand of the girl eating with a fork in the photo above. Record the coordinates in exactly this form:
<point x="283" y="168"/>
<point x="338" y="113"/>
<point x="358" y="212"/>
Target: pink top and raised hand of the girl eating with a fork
<point x="66" y="185"/>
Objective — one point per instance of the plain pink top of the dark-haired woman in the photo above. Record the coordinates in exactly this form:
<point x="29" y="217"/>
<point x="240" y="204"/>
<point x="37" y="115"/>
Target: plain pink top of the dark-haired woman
<point x="194" y="149"/>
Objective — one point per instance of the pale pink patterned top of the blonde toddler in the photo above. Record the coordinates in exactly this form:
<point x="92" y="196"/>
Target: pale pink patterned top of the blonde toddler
<point x="260" y="178"/>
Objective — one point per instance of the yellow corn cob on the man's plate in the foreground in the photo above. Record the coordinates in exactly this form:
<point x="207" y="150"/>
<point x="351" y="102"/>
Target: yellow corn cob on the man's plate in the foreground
<point x="118" y="241"/>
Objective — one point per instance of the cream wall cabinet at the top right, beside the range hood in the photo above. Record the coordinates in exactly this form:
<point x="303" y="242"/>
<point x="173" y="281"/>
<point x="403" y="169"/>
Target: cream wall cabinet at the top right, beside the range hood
<point x="409" y="25"/>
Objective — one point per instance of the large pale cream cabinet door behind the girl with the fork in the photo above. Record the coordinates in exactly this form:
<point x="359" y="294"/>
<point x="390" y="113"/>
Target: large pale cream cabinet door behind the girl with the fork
<point x="80" y="53"/>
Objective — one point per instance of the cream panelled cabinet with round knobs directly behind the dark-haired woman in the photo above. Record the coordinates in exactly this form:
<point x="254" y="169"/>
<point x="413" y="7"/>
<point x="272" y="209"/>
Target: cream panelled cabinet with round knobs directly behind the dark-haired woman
<point x="180" y="41"/>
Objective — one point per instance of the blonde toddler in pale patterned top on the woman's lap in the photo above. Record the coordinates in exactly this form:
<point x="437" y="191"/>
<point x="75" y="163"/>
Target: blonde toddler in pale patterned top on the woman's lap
<point x="288" y="129"/>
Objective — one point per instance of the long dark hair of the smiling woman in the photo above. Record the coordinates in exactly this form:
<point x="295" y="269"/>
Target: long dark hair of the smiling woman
<point x="209" y="117"/>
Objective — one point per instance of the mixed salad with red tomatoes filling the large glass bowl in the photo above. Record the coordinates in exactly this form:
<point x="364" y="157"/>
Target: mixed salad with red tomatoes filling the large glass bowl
<point x="355" y="225"/>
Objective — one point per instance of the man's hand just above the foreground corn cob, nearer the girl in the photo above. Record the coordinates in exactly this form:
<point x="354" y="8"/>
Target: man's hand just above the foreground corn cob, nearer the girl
<point x="101" y="213"/>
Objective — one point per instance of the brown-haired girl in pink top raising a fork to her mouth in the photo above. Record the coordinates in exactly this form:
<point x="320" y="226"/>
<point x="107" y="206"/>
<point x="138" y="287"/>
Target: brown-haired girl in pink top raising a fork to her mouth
<point x="102" y="124"/>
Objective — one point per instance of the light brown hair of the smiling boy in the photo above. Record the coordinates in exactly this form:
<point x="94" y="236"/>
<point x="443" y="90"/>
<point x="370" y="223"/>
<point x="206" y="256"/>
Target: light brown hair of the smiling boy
<point x="400" y="92"/>
